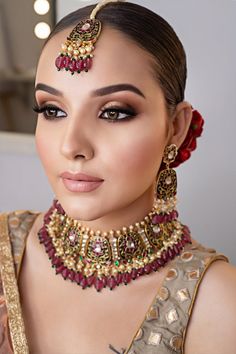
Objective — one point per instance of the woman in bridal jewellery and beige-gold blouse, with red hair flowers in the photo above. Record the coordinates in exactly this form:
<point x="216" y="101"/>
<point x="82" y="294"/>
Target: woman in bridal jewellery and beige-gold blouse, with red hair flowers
<point x="112" y="123"/>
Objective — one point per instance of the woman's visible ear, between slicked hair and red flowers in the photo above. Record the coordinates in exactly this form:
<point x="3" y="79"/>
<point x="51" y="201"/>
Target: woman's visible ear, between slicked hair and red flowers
<point x="180" y="123"/>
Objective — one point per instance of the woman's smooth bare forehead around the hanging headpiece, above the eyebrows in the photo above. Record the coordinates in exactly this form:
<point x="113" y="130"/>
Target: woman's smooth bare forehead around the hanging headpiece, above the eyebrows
<point x="117" y="59"/>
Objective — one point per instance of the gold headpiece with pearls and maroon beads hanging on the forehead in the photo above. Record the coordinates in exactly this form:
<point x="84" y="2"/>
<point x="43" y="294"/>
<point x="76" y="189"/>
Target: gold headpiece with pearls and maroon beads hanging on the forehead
<point x="77" y="52"/>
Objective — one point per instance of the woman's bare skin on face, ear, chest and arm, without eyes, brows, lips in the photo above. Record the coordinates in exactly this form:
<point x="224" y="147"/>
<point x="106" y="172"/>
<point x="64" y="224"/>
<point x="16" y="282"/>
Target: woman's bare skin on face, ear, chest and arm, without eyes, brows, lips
<point x="127" y="156"/>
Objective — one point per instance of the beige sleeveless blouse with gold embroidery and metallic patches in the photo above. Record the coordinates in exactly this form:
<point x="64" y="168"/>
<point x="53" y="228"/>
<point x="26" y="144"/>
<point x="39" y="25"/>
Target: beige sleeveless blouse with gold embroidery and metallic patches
<point x="165" y="324"/>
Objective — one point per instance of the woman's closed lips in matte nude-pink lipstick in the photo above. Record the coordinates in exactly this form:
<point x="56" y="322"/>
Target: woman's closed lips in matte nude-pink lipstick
<point x="80" y="182"/>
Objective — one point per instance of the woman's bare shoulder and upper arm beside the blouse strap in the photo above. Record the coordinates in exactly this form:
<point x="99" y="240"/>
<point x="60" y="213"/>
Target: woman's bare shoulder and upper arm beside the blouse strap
<point x="212" y="326"/>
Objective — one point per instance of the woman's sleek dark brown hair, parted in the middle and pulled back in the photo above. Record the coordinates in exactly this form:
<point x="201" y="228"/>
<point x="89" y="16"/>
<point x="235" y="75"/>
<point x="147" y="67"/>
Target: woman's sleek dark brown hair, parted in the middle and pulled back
<point x="152" y="33"/>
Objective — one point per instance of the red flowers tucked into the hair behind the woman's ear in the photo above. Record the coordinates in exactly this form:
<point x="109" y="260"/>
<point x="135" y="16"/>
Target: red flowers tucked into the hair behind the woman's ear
<point x="190" y="142"/>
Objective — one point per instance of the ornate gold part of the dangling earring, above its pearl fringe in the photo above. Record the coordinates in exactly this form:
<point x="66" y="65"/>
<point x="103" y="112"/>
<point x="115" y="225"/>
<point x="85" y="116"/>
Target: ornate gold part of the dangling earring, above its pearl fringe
<point x="167" y="180"/>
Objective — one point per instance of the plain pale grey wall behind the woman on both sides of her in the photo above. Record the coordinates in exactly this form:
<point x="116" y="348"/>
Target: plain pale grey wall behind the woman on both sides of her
<point x="207" y="182"/>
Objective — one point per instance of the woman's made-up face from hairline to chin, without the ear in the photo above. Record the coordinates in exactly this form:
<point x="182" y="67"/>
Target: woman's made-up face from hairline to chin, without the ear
<point x="110" y="123"/>
